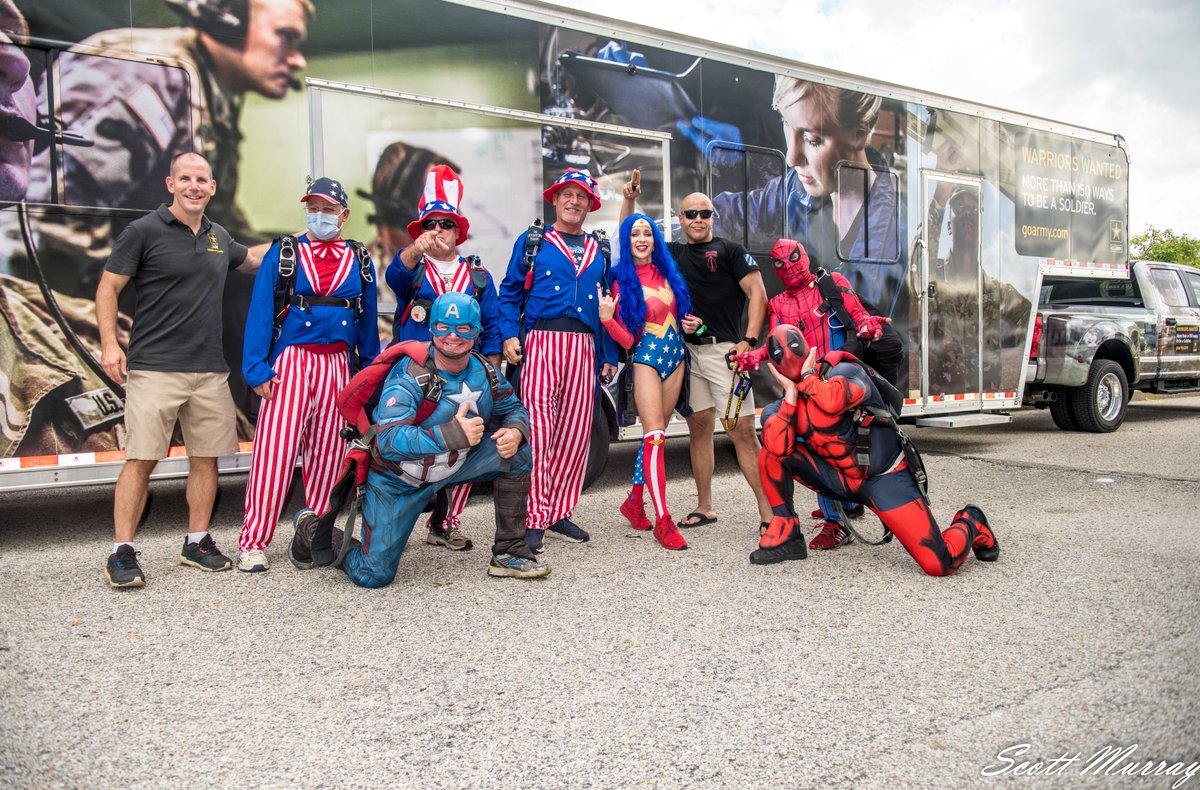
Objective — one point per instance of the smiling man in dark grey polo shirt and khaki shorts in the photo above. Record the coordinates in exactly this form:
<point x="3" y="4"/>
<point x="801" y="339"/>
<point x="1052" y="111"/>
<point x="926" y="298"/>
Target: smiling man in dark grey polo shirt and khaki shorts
<point x="178" y="260"/>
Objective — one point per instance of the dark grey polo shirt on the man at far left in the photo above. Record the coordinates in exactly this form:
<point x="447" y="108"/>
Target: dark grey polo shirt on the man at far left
<point x="181" y="280"/>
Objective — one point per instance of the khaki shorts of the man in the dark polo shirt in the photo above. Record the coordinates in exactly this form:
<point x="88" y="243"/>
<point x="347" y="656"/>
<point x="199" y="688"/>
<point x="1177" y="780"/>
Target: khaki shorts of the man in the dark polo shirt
<point x="155" y="400"/>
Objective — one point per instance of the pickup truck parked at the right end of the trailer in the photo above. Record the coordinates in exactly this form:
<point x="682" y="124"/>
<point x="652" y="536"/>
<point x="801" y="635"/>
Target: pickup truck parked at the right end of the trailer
<point x="1096" y="342"/>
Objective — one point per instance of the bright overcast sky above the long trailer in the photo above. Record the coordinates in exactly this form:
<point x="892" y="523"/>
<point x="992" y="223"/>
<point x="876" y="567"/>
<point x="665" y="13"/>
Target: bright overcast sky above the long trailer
<point x="1132" y="69"/>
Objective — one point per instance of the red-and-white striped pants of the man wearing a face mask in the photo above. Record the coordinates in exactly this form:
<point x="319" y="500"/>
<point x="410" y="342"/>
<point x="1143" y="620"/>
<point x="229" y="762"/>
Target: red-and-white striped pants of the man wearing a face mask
<point x="301" y="420"/>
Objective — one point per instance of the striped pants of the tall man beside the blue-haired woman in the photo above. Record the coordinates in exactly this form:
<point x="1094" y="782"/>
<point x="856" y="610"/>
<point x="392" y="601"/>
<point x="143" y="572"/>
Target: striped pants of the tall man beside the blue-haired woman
<point x="559" y="388"/>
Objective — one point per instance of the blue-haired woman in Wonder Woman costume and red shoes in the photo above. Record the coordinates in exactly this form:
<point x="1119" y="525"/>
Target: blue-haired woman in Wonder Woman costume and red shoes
<point x="643" y="314"/>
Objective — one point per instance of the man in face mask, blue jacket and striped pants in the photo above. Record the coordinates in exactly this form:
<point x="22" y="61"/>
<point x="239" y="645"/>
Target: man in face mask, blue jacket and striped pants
<point x="299" y="364"/>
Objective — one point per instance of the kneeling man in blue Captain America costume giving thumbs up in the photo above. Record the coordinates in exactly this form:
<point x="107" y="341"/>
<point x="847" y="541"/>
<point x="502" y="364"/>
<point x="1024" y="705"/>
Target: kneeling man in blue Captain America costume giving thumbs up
<point x="476" y="432"/>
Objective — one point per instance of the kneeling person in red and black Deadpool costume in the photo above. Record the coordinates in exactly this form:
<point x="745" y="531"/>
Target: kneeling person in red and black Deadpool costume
<point x="815" y="441"/>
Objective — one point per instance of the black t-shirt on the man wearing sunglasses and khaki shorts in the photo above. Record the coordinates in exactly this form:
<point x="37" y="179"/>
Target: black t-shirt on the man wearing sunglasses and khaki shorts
<point x="713" y="272"/>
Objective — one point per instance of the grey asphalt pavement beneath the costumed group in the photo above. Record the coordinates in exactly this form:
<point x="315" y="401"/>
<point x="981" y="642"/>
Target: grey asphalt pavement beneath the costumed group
<point x="632" y="666"/>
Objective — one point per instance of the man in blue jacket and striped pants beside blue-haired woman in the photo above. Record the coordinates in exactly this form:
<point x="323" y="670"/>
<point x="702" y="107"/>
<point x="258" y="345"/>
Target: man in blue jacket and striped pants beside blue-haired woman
<point x="550" y="319"/>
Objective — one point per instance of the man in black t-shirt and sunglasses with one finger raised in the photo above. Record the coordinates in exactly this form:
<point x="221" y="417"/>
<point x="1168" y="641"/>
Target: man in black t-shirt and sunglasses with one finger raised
<point x="722" y="278"/>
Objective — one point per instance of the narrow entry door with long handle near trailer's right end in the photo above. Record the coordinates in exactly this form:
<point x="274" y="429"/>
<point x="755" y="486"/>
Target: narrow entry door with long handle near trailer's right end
<point x="951" y="294"/>
